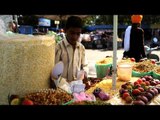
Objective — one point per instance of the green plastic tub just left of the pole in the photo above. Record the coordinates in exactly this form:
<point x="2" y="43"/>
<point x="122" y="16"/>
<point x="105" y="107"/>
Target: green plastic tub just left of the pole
<point x="101" y="69"/>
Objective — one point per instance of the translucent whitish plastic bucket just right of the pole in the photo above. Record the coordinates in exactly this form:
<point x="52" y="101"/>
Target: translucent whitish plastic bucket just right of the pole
<point x="124" y="72"/>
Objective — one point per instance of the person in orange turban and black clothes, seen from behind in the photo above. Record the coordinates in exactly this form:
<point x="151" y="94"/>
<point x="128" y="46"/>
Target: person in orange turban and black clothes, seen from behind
<point x="134" y="39"/>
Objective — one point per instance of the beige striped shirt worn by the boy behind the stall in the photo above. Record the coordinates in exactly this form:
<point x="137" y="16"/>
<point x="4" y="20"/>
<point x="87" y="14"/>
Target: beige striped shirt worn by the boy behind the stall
<point x="73" y="59"/>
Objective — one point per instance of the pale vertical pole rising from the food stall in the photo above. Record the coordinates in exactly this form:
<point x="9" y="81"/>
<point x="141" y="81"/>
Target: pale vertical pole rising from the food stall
<point x="114" y="72"/>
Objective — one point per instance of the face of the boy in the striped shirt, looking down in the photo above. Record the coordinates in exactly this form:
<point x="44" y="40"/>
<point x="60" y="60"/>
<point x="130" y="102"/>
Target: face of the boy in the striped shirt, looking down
<point x="73" y="34"/>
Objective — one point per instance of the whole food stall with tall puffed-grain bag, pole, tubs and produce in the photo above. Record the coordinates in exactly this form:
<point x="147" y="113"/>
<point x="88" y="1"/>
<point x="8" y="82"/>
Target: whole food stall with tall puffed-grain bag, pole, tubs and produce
<point x="28" y="61"/>
